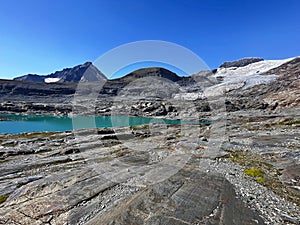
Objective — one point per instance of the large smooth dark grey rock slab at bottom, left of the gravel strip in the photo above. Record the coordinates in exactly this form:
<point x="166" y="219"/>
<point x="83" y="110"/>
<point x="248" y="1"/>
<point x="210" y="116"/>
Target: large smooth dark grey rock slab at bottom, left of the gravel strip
<point x="189" y="197"/>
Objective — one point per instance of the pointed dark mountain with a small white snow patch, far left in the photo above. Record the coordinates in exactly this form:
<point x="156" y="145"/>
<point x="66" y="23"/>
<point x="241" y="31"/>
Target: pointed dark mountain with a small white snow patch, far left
<point x="85" y="72"/>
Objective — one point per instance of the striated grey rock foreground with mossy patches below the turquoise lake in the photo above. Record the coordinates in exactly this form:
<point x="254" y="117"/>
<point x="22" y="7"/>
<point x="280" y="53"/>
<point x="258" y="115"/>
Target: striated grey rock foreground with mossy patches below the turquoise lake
<point x="156" y="174"/>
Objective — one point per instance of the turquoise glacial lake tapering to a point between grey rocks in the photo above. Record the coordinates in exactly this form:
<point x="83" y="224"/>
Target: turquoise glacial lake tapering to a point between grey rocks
<point x="14" y="124"/>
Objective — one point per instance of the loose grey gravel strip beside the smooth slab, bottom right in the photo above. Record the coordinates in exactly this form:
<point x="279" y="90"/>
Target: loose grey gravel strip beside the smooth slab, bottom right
<point x="272" y="208"/>
